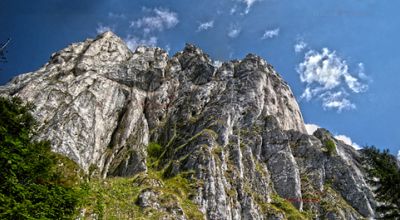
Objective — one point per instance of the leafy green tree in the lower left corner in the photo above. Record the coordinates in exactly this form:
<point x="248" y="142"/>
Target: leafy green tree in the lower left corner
<point x="31" y="186"/>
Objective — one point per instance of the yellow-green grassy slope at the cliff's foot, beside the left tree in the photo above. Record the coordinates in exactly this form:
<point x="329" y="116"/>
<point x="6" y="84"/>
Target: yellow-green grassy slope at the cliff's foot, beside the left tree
<point x="117" y="198"/>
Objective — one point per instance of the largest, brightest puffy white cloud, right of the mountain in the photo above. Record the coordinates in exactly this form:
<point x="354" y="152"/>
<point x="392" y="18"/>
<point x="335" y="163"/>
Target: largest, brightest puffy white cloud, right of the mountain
<point x="327" y="78"/>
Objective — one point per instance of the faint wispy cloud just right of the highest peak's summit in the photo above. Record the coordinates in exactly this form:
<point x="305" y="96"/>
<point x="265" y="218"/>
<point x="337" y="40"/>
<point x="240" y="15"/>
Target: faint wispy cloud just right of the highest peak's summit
<point x="160" y="20"/>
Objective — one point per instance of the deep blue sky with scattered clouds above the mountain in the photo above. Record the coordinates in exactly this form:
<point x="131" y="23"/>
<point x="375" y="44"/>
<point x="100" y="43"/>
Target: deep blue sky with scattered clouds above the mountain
<point x="339" y="57"/>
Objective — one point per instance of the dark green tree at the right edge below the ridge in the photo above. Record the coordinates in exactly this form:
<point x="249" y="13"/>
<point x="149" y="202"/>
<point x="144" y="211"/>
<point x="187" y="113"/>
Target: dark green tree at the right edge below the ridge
<point x="385" y="178"/>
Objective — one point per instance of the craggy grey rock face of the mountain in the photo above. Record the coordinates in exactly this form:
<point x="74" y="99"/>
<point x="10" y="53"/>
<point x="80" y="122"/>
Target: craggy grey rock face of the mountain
<point x="237" y="127"/>
